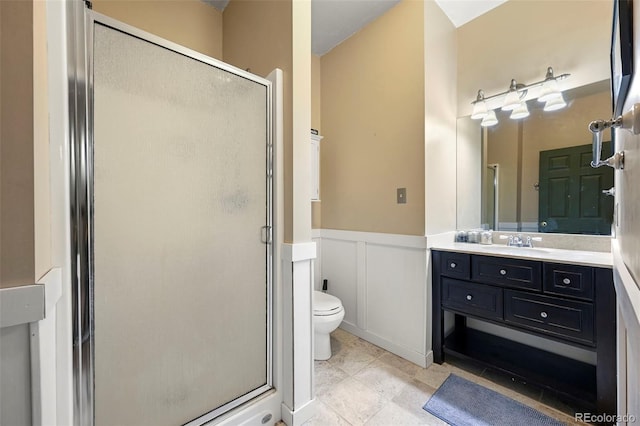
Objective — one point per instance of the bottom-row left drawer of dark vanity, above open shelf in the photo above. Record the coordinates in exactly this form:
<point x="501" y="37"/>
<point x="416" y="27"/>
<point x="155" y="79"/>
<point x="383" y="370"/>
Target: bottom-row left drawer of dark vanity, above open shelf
<point x="476" y="299"/>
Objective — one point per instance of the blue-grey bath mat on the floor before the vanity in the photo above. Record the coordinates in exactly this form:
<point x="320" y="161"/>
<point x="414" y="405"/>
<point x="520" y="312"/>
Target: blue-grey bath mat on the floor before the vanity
<point x="460" y="402"/>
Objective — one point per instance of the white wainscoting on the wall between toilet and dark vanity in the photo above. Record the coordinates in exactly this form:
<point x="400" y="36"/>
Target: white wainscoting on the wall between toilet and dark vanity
<point x="382" y="282"/>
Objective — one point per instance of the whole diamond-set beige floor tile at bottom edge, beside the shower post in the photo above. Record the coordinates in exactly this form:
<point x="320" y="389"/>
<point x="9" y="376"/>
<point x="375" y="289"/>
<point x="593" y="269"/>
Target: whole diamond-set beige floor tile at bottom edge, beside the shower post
<point x="354" y="401"/>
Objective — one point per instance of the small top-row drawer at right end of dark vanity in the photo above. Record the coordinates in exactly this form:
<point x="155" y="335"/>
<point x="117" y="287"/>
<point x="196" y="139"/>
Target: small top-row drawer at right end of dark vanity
<point x="568" y="280"/>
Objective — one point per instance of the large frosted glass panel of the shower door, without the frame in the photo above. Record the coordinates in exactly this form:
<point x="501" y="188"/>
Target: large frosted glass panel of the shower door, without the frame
<point x="179" y="199"/>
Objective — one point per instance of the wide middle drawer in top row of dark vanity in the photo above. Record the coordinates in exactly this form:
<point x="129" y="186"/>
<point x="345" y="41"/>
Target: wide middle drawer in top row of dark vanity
<point x="507" y="272"/>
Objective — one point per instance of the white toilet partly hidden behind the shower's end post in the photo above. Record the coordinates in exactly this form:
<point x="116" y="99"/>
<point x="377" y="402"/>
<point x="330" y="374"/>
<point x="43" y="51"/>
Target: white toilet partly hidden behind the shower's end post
<point x="327" y="316"/>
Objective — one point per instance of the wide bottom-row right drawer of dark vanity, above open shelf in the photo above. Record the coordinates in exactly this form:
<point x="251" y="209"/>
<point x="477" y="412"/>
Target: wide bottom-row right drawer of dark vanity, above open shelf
<point x="562" y="318"/>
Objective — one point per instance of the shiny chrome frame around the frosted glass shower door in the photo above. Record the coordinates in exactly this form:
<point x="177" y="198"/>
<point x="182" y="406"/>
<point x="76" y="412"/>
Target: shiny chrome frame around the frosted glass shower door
<point x="81" y="22"/>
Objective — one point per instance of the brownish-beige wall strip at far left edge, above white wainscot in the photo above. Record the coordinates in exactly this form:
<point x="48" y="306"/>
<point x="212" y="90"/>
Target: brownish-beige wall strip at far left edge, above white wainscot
<point x="17" y="260"/>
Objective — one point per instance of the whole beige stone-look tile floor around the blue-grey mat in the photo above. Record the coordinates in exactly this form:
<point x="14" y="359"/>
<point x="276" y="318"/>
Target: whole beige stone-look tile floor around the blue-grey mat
<point x="363" y="384"/>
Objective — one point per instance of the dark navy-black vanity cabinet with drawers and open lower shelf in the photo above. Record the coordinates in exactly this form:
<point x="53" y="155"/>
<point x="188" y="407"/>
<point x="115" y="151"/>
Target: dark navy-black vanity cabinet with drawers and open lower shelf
<point x="572" y="304"/>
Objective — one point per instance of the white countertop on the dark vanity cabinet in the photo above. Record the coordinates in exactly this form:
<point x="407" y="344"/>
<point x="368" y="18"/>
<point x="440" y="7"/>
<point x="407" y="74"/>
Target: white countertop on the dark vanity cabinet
<point x="575" y="257"/>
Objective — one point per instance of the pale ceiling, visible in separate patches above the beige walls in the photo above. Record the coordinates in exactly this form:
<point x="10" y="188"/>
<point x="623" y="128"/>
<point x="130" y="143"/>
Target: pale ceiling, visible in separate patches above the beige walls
<point x="333" y="21"/>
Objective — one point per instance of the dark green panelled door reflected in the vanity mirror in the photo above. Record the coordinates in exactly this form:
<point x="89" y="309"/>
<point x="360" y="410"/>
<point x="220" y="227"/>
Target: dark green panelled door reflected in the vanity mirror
<point x="570" y="198"/>
